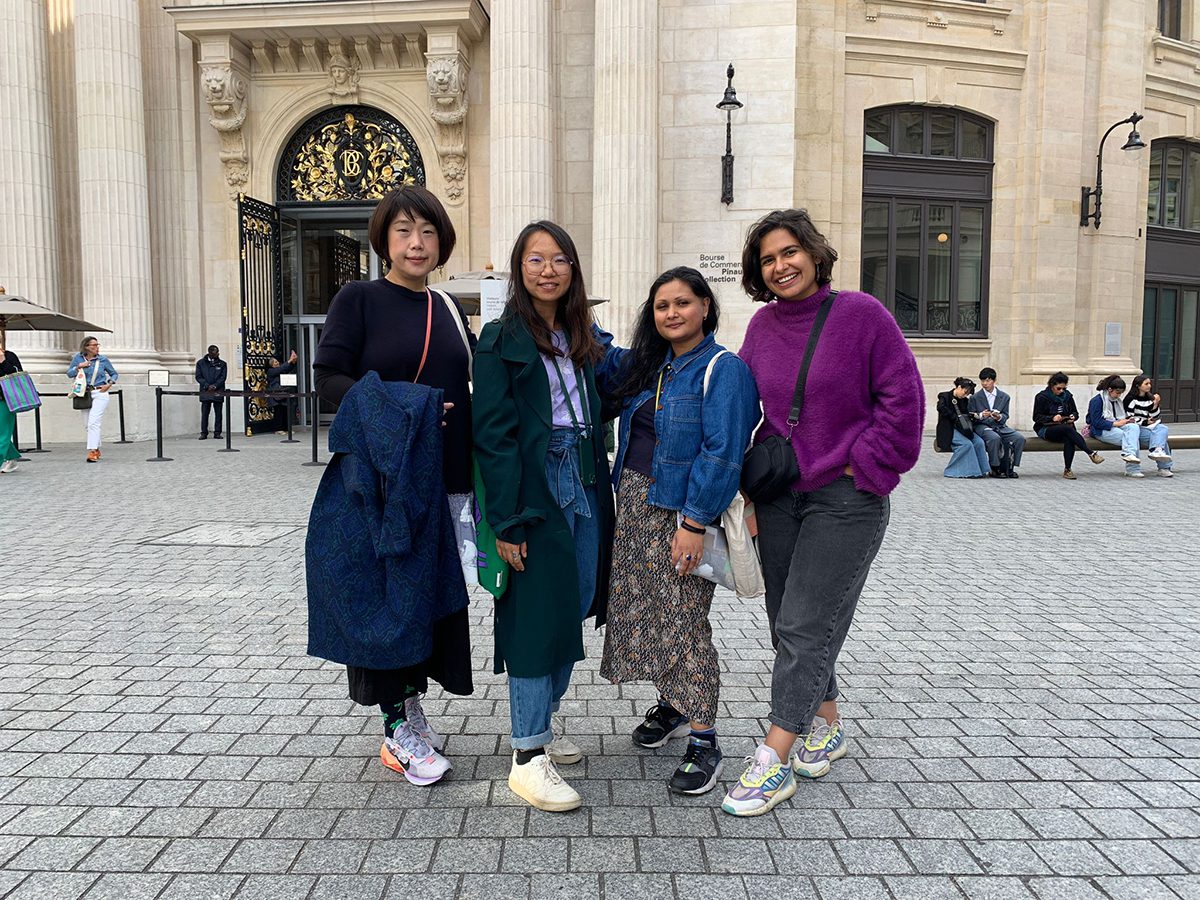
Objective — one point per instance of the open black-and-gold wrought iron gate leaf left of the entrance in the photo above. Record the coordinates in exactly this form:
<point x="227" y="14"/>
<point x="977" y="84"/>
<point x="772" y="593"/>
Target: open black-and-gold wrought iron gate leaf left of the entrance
<point x="262" y="304"/>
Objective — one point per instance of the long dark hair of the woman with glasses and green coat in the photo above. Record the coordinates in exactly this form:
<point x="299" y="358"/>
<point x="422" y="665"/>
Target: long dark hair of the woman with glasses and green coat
<point x="574" y="313"/>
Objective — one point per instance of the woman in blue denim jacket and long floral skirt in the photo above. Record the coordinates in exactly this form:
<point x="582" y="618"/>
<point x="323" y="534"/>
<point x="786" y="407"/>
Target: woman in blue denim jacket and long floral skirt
<point x="677" y="469"/>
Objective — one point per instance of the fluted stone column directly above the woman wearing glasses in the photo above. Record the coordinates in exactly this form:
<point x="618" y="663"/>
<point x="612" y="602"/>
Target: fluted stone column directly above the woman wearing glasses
<point x="523" y="124"/>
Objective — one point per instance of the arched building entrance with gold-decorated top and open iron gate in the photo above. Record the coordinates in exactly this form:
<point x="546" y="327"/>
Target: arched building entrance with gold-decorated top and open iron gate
<point x="298" y="253"/>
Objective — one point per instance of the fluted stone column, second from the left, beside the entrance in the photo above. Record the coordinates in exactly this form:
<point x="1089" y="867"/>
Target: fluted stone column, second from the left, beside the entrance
<point x="115" y="221"/>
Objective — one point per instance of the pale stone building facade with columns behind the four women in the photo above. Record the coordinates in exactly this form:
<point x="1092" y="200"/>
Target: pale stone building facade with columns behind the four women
<point x="941" y="145"/>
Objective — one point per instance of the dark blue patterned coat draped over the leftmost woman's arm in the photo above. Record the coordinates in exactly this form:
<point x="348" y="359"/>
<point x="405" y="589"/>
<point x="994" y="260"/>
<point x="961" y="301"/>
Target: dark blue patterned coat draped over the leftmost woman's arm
<point x="381" y="555"/>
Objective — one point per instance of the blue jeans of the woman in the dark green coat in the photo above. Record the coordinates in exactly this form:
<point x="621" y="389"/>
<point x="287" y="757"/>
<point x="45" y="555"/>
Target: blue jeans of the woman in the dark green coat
<point x="533" y="700"/>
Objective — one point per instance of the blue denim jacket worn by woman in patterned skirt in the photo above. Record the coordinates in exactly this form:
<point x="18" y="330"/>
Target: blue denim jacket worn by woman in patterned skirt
<point x="700" y="439"/>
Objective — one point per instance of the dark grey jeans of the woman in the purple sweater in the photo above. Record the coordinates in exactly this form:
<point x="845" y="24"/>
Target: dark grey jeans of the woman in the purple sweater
<point x="817" y="553"/>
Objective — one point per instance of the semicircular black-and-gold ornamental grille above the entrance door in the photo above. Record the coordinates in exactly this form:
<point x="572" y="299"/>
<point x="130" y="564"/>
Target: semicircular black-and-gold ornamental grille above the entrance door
<point x="349" y="154"/>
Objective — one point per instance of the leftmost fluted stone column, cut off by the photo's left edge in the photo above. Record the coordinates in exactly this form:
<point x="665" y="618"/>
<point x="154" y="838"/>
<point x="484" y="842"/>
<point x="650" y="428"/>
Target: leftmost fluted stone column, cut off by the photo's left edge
<point x="29" y="255"/>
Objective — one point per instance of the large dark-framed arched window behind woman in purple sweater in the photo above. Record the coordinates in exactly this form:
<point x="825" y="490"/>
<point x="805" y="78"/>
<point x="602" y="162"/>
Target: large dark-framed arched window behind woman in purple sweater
<point x="927" y="218"/>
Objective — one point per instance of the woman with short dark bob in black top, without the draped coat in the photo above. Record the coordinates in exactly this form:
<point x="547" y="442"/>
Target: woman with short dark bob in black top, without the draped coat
<point x="381" y="327"/>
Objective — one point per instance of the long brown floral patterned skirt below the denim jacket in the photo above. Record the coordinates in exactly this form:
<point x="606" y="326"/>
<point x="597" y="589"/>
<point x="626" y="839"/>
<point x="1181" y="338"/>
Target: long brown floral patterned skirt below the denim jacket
<point x="658" y="623"/>
